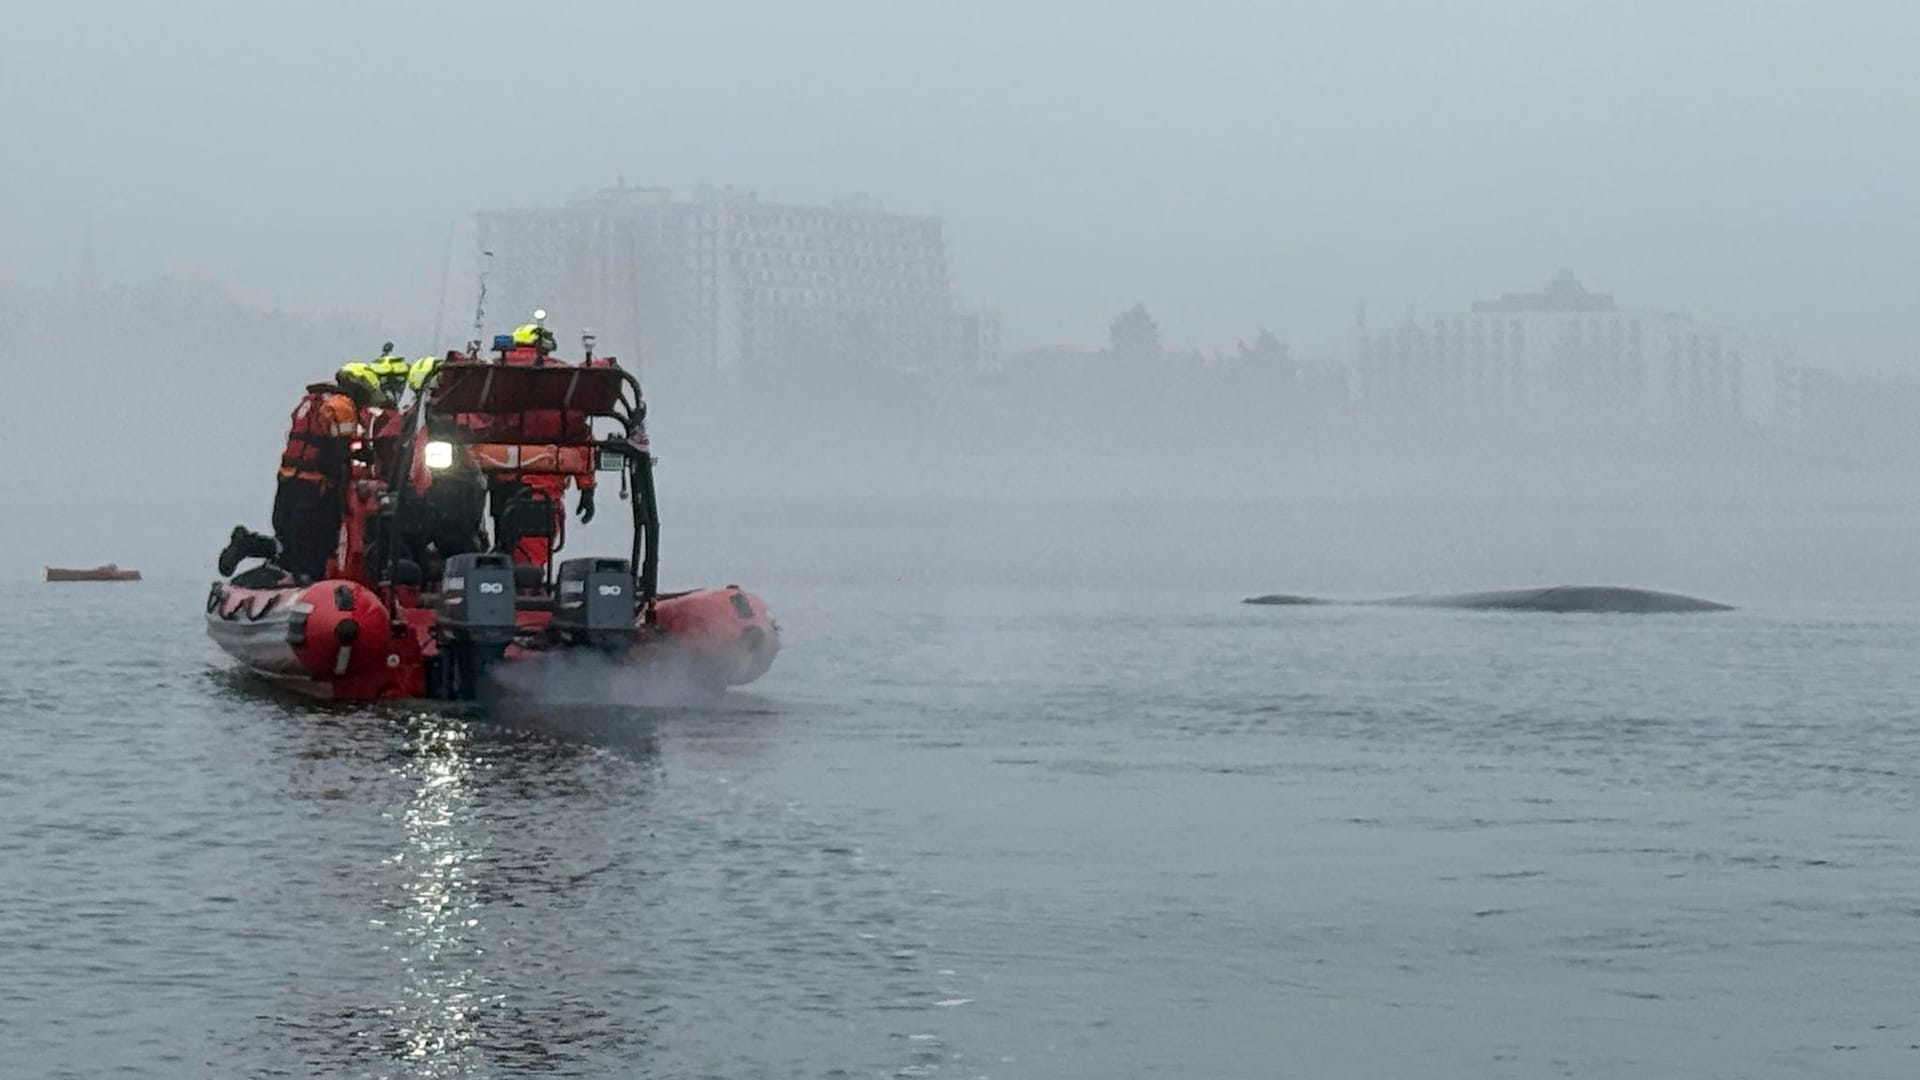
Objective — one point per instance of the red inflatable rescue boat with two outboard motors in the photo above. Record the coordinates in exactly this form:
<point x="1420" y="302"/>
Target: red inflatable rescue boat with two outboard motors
<point x="381" y="626"/>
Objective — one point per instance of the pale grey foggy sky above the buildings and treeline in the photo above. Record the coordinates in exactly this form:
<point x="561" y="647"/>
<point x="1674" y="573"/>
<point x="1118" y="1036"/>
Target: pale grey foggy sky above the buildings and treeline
<point x="1232" y="164"/>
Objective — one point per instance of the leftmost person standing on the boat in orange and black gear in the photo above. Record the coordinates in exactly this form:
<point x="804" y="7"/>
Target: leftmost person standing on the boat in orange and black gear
<point x="316" y="470"/>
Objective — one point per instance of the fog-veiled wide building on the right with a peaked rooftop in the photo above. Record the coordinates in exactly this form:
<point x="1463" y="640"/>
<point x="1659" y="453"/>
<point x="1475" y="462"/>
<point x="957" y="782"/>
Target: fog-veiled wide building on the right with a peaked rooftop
<point x="1575" y="360"/>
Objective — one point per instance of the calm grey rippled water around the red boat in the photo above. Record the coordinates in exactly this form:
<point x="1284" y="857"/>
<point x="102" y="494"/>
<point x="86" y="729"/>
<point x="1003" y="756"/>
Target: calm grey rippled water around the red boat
<point x="1028" y="795"/>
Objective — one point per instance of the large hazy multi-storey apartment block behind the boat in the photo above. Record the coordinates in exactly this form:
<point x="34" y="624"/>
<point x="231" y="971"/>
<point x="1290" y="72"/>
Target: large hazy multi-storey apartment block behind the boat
<point x="727" y="283"/>
